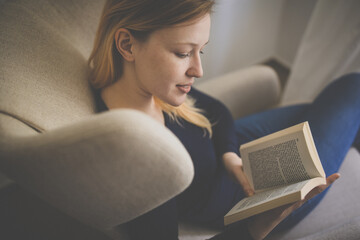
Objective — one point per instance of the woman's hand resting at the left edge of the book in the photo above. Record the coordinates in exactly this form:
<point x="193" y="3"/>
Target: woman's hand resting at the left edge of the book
<point x="233" y="165"/>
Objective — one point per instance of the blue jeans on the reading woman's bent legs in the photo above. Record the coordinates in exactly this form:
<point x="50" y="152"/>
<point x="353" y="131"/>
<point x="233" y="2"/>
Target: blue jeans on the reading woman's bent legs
<point x="334" y="119"/>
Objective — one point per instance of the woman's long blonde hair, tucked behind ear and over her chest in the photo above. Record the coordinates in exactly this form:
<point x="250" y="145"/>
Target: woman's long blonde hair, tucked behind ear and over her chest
<point x="141" y="18"/>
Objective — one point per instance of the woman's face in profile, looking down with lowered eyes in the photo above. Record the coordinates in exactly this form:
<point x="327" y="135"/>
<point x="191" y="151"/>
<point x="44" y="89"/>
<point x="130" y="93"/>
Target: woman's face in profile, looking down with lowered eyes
<point x="167" y="63"/>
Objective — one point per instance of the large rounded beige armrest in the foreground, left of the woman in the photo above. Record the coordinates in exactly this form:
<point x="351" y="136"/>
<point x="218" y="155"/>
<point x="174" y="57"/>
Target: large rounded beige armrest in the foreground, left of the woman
<point x="103" y="171"/>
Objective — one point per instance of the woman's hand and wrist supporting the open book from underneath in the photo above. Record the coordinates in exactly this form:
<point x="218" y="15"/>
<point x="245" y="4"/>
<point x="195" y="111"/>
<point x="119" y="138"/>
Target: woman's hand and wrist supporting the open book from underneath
<point x="262" y="224"/>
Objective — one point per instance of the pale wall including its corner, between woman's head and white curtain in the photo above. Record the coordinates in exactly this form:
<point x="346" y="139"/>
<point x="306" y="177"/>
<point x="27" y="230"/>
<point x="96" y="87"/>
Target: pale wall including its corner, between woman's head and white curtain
<point x="246" y="32"/>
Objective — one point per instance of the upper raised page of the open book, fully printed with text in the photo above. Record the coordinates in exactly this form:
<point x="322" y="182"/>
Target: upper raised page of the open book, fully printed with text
<point x="280" y="158"/>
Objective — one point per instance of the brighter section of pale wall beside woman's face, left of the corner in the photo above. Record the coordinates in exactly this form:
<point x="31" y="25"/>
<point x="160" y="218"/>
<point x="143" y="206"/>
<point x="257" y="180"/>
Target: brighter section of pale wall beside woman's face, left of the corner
<point x="243" y="32"/>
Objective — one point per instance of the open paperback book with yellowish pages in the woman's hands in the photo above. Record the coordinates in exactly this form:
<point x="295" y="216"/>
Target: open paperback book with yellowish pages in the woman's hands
<point x="281" y="167"/>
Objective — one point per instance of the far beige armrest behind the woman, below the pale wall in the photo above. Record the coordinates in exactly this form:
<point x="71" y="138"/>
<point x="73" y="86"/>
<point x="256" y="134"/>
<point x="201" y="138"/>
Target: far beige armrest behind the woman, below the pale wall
<point x="245" y="91"/>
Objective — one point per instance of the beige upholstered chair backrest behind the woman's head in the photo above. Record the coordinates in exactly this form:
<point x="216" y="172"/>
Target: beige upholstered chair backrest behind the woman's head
<point x="44" y="47"/>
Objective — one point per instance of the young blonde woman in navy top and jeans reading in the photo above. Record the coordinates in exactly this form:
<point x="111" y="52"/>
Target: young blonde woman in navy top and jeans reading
<point x="146" y="57"/>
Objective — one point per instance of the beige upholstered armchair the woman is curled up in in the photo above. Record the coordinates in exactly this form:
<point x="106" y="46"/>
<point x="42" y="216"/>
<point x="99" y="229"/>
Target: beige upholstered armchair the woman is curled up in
<point x="95" y="171"/>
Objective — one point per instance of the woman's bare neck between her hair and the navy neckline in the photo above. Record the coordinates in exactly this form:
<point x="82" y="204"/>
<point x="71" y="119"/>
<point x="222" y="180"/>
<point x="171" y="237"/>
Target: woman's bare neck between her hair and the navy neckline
<point x="123" y="94"/>
